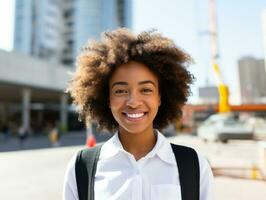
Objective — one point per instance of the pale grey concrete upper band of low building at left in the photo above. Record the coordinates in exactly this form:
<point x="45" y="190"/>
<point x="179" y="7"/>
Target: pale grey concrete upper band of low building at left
<point x="23" y="70"/>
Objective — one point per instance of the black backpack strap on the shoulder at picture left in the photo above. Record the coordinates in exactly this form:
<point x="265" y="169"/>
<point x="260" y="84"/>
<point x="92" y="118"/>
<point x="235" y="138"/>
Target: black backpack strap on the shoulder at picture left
<point x="85" y="168"/>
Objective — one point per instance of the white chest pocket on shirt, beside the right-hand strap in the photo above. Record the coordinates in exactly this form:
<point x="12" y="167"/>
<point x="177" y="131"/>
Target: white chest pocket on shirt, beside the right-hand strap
<point x="165" y="191"/>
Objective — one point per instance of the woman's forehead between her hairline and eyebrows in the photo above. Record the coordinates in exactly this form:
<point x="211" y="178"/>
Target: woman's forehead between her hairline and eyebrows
<point x="133" y="72"/>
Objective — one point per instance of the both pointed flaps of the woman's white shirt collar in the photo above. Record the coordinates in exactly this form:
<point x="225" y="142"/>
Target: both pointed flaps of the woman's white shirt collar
<point x="162" y="148"/>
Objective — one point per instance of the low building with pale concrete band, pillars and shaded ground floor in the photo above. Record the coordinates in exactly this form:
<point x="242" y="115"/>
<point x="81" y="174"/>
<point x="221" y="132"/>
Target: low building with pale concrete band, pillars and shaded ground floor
<point x="33" y="94"/>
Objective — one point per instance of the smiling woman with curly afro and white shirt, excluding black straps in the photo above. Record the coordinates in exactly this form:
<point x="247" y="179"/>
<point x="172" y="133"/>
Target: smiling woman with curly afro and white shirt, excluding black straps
<point x="133" y="85"/>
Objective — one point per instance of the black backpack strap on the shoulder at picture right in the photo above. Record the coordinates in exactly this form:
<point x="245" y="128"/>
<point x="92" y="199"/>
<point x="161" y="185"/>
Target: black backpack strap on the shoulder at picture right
<point x="189" y="171"/>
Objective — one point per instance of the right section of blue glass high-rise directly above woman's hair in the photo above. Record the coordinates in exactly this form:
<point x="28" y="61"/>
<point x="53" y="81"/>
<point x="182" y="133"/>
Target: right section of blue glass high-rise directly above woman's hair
<point x="95" y="16"/>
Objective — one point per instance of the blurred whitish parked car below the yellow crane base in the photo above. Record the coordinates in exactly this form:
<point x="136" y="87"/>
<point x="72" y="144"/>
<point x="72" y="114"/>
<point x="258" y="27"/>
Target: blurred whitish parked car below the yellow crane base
<point x="224" y="127"/>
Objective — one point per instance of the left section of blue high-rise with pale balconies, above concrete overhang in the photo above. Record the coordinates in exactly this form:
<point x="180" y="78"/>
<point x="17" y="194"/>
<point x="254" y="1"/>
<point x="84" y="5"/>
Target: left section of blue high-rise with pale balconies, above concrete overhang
<point x="38" y="28"/>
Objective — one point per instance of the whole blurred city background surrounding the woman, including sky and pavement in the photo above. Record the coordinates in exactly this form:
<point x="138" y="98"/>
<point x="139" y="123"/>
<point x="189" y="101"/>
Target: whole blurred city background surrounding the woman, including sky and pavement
<point x="225" y="116"/>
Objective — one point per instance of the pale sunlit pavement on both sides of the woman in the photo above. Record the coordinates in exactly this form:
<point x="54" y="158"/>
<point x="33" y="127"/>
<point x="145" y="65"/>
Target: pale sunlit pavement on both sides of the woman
<point x="32" y="173"/>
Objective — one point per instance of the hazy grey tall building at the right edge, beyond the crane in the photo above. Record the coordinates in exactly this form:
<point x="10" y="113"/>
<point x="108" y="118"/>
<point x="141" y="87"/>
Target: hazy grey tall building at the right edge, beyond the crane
<point x="252" y="77"/>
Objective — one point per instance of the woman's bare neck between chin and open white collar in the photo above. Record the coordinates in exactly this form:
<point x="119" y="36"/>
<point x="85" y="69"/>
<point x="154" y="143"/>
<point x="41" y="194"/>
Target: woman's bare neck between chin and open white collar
<point x="138" y="144"/>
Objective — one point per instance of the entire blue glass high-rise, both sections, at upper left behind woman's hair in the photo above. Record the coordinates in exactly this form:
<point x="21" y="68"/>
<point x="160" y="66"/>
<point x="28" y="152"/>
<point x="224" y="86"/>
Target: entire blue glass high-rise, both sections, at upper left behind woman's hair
<point x="56" y="29"/>
